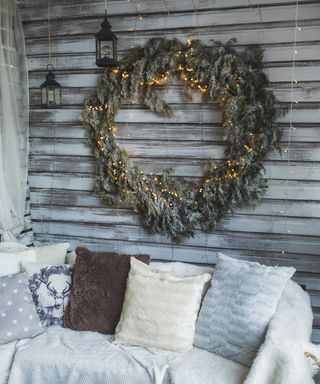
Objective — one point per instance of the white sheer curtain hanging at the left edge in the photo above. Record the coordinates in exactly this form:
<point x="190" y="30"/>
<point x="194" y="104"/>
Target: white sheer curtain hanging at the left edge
<point x="14" y="124"/>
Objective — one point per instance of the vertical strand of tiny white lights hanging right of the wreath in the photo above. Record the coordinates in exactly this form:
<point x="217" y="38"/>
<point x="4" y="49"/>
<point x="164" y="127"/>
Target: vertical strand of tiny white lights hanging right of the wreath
<point x="293" y="101"/>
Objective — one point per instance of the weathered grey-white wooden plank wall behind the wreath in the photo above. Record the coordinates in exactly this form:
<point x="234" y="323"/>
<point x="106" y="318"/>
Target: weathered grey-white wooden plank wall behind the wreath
<point x="62" y="170"/>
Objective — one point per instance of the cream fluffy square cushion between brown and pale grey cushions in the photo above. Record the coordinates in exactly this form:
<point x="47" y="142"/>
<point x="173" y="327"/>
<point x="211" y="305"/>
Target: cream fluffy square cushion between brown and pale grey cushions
<point x="159" y="310"/>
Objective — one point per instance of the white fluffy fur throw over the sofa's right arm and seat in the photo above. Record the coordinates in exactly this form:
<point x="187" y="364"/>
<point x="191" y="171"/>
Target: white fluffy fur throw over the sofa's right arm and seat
<point x="280" y="359"/>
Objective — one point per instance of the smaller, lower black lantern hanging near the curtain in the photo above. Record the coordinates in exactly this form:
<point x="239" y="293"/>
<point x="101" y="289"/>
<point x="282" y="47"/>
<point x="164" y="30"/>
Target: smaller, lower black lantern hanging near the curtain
<point x="50" y="90"/>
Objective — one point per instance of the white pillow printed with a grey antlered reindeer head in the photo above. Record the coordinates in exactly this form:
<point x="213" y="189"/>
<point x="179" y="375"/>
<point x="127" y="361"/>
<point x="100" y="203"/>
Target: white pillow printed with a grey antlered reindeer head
<point x="50" y="286"/>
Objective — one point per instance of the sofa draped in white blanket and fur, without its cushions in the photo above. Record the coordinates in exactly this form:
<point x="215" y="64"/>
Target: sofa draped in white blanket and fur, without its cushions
<point x="61" y="355"/>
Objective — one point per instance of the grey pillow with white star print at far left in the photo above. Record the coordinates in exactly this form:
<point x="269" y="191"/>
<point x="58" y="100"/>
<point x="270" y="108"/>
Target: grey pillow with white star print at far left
<point x="18" y="317"/>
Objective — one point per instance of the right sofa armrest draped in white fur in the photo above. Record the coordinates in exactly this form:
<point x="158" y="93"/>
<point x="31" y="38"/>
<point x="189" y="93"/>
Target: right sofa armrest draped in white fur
<point x="281" y="358"/>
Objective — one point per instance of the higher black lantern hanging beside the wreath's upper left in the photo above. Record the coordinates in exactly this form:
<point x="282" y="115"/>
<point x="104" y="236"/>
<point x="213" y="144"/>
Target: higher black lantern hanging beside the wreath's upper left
<point x="106" y="46"/>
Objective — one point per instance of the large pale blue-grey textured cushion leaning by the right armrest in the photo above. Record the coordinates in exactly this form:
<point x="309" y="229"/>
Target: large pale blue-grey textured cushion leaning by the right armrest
<point x="236" y="311"/>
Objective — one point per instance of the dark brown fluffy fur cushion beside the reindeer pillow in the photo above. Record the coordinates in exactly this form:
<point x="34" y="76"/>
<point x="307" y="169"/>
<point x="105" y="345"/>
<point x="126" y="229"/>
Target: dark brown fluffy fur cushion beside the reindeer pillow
<point x="99" y="284"/>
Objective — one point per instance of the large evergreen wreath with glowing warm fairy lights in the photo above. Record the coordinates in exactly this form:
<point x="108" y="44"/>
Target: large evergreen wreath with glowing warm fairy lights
<point x="172" y="205"/>
